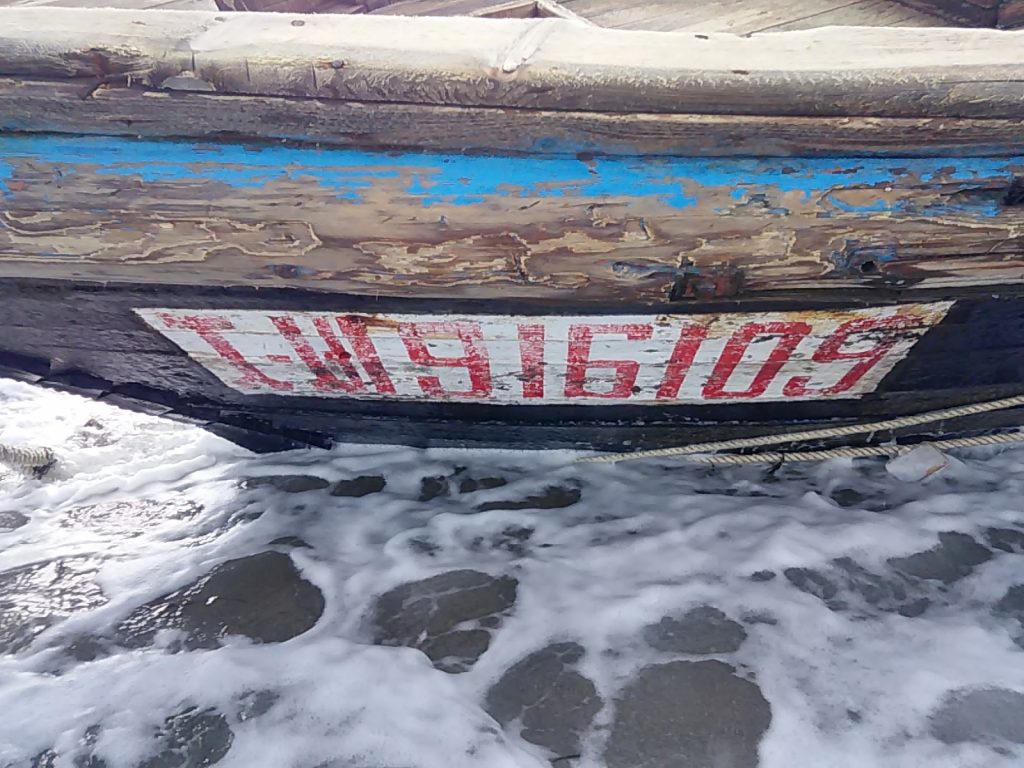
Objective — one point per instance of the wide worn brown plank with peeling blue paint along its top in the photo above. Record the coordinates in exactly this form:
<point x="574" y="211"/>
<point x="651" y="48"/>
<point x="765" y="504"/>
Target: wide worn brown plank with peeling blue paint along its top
<point x="553" y="229"/>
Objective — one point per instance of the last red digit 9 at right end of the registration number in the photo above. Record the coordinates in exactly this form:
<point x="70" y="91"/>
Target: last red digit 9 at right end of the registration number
<point x="886" y="337"/>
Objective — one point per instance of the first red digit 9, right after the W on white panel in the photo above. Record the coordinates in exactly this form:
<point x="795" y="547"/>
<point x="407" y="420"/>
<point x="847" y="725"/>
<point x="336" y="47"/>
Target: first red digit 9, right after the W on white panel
<point x="476" y="360"/>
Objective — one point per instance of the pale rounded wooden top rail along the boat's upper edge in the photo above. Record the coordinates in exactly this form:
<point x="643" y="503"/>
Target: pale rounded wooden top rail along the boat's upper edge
<point x="534" y="64"/>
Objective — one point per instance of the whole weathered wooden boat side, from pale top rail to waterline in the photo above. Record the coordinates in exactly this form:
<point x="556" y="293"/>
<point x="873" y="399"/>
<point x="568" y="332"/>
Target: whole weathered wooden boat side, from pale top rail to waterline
<point x="526" y="233"/>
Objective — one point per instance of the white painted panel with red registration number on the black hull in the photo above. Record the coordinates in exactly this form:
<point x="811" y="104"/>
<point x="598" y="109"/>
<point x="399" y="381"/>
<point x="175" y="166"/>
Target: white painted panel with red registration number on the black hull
<point x="546" y="360"/>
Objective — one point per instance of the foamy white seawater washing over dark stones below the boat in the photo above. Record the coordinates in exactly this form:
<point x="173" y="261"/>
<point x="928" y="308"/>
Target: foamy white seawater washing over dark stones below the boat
<point x="867" y="652"/>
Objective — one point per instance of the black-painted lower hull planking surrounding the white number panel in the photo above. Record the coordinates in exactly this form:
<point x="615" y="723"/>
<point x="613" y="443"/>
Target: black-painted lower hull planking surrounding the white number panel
<point x="930" y="377"/>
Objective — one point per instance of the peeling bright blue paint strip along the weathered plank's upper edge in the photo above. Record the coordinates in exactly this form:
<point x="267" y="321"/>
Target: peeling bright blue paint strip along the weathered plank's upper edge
<point x="468" y="181"/>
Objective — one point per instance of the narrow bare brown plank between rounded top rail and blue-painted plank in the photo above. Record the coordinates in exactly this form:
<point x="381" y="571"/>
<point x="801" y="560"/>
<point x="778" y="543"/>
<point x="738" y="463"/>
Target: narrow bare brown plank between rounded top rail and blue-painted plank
<point x="71" y="108"/>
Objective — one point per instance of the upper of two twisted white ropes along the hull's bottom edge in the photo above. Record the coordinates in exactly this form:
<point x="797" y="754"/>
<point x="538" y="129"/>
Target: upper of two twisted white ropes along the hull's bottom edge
<point x="825" y="433"/>
